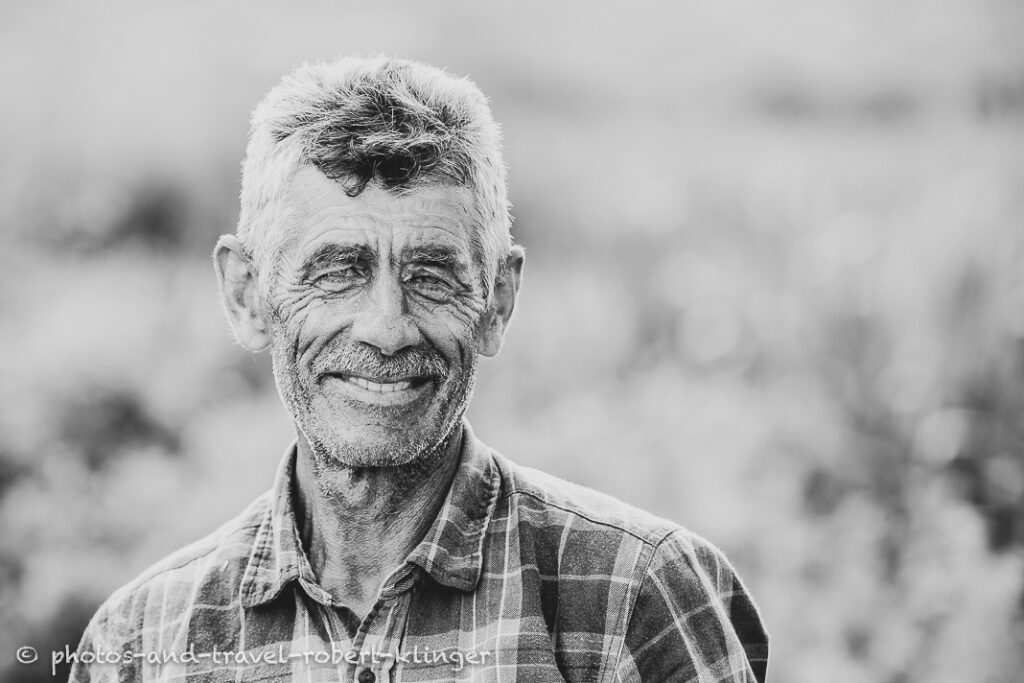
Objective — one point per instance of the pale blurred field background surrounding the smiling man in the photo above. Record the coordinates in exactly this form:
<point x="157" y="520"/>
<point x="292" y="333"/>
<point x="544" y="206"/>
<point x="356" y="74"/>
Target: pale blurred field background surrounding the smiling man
<point x="776" y="292"/>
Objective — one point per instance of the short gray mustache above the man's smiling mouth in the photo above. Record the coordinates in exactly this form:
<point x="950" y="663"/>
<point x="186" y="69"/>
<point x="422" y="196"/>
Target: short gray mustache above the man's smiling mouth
<point x="366" y="362"/>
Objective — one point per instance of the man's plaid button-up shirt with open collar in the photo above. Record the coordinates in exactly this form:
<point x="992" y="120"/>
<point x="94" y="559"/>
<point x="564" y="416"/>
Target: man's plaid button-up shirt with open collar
<point x="523" y="577"/>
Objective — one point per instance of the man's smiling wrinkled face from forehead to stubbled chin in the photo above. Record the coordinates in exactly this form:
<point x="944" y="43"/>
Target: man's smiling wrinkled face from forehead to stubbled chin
<point x="376" y="313"/>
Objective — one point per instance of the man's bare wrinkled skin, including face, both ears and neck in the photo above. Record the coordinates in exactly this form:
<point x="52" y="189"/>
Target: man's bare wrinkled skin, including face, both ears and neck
<point x="375" y="313"/>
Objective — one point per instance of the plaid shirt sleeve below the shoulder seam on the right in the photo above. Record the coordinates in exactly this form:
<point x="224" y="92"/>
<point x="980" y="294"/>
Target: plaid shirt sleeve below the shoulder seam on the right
<point x="694" y="620"/>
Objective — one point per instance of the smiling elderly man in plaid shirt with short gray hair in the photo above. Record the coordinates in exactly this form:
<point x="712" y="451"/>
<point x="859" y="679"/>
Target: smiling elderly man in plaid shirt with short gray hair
<point x="373" y="260"/>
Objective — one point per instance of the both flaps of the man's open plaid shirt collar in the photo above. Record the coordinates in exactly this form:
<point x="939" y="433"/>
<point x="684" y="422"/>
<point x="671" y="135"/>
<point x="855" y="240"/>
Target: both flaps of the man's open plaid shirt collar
<point x="452" y="551"/>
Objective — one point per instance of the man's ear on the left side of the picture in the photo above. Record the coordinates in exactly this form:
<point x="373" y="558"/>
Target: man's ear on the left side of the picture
<point x="240" y="294"/>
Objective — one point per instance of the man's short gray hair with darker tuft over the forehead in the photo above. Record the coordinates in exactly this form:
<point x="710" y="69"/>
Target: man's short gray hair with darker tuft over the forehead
<point x="400" y="123"/>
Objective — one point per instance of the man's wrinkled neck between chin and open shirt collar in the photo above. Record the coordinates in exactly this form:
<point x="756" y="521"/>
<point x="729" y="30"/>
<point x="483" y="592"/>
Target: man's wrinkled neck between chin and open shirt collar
<point x="364" y="523"/>
